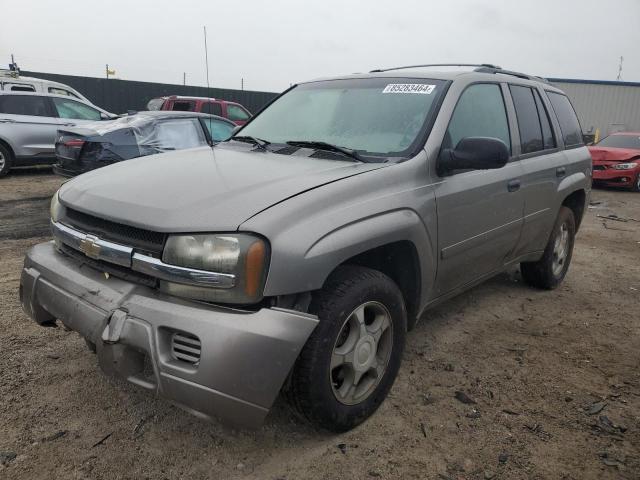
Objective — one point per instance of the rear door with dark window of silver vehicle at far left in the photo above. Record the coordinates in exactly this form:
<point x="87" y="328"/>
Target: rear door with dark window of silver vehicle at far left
<point x="29" y="124"/>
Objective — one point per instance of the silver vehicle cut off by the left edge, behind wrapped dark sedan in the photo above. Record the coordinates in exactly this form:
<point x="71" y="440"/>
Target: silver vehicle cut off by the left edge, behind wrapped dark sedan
<point x="29" y="123"/>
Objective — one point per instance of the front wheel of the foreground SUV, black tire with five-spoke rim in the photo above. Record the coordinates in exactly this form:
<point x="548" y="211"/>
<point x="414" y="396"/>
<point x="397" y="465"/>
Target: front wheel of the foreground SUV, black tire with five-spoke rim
<point x="332" y="398"/>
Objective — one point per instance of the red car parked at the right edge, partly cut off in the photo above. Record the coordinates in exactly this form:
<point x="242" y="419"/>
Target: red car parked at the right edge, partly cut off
<point x="616" y="160"/>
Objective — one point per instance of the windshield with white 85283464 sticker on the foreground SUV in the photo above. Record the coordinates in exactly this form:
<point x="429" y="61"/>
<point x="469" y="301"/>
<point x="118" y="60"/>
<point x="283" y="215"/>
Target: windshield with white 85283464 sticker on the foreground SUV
<point x="374" y="116"/>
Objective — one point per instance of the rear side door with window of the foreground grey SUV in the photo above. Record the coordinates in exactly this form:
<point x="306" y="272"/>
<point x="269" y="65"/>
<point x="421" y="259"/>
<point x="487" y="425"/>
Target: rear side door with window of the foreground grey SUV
<point x="541" y="161"/>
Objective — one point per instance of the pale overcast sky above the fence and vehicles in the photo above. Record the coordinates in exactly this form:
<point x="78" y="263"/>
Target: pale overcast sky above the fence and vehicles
<point x="272" y="44"/>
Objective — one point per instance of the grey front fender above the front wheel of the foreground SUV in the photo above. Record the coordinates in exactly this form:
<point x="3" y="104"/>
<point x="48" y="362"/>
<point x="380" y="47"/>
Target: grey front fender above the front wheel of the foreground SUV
<point x="314" y="233"/>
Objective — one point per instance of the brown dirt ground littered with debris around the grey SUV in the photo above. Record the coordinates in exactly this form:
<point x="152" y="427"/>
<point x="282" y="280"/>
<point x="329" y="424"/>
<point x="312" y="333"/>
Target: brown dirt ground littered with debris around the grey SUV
<point x="555" y="377"/>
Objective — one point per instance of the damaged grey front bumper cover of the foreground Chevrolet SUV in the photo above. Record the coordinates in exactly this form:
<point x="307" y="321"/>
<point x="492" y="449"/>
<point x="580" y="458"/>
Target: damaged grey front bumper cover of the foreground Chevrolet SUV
<point x="245" y="356"/>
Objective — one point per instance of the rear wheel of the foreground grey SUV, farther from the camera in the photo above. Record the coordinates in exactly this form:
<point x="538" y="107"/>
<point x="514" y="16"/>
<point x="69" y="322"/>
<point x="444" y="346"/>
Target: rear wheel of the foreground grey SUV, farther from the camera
<point x="550" y="270"/>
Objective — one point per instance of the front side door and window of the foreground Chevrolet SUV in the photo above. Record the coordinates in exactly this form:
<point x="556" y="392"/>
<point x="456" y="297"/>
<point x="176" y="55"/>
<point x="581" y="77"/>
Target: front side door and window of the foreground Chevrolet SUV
<point x="479" y="211"/>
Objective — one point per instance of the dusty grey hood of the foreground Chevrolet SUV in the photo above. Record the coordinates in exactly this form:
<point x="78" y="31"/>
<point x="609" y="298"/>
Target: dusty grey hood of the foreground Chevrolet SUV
<point x="201" y="189"/>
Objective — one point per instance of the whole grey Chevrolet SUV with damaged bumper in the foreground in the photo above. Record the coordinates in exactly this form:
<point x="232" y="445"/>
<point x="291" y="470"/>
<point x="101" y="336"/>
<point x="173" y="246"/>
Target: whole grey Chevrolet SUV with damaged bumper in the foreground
<point x="295" y="256"/>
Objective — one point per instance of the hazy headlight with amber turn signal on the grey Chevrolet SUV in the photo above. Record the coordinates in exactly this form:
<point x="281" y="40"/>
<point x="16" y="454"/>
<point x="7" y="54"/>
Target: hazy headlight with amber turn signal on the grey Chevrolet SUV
<point x="245" y="256"/>
